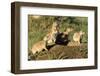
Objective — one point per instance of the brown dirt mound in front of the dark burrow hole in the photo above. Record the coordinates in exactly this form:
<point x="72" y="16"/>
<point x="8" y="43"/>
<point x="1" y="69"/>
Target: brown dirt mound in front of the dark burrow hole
<point x="62" y="52"/>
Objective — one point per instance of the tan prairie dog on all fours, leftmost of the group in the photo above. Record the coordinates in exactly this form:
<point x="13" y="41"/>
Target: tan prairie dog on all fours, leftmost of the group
<point x="39" y="46"/>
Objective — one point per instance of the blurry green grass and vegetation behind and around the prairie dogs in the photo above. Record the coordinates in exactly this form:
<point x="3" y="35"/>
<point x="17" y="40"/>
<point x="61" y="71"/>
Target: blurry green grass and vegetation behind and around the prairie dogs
<point x="40" y="26"/>
